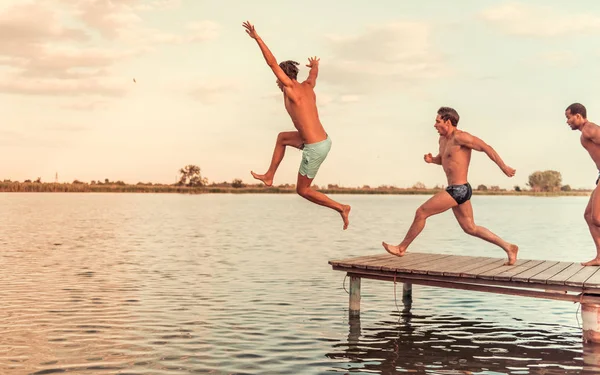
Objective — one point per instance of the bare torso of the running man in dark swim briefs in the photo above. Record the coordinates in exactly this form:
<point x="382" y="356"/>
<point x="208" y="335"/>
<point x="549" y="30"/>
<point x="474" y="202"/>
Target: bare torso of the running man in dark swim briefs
<point x="455" y="160"/>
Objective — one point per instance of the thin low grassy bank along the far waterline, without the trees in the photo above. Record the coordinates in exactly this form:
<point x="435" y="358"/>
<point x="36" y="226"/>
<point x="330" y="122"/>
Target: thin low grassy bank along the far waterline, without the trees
<point x="120" y="187"/>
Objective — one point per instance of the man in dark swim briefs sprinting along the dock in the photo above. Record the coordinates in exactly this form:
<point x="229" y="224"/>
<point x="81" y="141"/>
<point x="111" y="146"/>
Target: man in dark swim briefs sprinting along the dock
<point x="455" y="156"/>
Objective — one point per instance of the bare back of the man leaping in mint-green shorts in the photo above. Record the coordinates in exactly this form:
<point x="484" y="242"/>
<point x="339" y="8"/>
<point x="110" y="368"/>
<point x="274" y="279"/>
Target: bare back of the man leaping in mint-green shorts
<point x="300" y="103"/>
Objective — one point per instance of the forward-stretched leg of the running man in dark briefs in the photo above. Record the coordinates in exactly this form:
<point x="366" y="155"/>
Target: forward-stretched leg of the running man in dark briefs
<point x="439" y="203"/>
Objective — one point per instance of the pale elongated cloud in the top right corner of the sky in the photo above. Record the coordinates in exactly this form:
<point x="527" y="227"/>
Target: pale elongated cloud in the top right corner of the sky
<point x="539" y="20"/>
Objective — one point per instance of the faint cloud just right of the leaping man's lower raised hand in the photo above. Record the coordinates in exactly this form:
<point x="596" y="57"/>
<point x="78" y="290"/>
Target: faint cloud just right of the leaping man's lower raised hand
<point x="383" y="56"/>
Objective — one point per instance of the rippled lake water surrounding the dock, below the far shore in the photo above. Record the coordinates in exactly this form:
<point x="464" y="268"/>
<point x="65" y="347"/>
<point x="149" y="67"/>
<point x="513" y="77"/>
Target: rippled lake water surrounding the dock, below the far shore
<point x="239" y="284"/>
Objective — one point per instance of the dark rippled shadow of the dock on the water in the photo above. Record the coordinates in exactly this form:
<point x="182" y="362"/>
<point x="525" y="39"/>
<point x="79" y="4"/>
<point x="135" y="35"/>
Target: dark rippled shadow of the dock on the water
<point x="447" y="344"/>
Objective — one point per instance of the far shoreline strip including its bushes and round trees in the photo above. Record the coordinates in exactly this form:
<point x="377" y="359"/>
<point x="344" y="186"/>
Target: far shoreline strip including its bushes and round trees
<point x="541" y="183"/>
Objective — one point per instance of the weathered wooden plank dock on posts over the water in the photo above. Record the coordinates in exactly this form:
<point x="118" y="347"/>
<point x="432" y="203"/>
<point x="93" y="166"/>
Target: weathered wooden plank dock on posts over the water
<point x="566" y="281"/>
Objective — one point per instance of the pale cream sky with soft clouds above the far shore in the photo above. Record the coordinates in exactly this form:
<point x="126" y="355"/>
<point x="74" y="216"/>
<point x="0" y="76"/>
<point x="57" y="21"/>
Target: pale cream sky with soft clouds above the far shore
<point x="204" y="95"/>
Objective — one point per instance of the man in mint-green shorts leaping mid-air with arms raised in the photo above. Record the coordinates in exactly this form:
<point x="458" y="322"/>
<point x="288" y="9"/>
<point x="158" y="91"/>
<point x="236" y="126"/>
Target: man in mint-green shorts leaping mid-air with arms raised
<point x="300" y="103"/>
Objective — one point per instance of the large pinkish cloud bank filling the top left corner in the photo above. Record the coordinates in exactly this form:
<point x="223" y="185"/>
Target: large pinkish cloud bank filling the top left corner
<point x="73" y="47"/>
